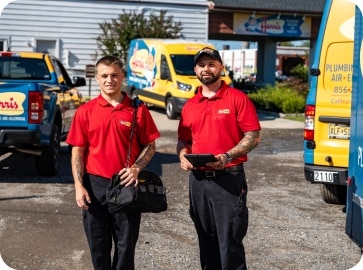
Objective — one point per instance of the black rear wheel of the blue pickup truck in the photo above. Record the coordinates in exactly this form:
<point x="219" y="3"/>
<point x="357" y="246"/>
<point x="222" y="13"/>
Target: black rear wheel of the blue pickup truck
<point x="47" y="163"/>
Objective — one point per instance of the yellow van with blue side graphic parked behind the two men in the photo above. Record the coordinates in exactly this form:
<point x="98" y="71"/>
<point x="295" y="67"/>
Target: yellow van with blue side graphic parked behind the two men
<point x="161" y="72"/>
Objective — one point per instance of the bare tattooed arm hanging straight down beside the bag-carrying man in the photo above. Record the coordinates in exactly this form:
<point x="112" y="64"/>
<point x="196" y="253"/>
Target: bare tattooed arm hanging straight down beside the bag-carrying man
<point x="82" y="196"/>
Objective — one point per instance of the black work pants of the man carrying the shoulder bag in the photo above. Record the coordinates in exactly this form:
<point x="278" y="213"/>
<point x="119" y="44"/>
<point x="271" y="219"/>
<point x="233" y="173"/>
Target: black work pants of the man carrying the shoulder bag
<point x="102" y="228"/>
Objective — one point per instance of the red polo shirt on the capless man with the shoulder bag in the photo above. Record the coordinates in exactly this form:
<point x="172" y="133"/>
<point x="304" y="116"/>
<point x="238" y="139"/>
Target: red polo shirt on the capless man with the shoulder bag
<point x="105" y="133"/>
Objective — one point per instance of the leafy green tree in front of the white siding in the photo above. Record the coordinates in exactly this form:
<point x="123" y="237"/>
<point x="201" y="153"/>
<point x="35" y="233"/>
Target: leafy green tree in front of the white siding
<point x="117" y="34"/>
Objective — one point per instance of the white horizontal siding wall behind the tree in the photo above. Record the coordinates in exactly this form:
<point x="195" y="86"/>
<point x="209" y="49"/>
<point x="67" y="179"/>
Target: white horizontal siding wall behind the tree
<point x="75" y="24"/>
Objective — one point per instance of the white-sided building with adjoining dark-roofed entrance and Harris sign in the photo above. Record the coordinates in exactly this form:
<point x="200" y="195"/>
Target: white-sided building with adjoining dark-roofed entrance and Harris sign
<point x="68" y="29"/>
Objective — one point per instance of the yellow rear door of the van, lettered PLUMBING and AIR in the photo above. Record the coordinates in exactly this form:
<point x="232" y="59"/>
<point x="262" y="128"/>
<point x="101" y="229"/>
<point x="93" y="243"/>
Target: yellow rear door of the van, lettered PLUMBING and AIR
<point x="333" y="94"/>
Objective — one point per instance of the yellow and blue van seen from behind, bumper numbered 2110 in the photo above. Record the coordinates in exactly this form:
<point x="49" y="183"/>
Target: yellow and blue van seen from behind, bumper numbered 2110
<point x="327" y="115"/>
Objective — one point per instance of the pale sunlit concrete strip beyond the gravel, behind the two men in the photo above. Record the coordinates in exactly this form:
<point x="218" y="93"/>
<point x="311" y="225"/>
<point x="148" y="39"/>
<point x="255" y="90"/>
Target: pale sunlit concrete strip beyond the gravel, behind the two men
<point x="266" y="121"/>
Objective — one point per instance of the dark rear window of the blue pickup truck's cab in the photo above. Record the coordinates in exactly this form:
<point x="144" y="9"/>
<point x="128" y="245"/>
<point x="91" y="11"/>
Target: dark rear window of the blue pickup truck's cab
<point x="19" y="68"/>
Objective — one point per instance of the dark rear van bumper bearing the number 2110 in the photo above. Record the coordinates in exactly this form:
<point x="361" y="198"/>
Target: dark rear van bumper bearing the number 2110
<point x="326" y="175"/>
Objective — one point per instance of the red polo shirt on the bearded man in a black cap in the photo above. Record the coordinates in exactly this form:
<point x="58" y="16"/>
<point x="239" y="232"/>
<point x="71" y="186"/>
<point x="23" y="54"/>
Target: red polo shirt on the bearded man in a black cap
<point x="217" y="124"/>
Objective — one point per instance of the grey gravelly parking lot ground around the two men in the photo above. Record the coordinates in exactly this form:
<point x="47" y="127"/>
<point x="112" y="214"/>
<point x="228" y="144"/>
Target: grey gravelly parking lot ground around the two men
<point x="290" y="226"/>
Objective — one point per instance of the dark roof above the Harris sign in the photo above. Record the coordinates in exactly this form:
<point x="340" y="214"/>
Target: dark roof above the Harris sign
<point x="293" y="6"/>
